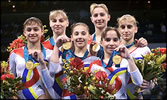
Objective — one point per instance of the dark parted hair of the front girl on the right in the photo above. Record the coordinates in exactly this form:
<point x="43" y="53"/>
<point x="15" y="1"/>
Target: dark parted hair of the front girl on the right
<point x="103" y="35"/>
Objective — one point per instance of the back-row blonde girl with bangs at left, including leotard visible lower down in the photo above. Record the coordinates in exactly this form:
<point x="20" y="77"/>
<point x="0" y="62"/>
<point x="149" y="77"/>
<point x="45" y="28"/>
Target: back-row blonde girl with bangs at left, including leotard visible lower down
<point x="58" y="21"/>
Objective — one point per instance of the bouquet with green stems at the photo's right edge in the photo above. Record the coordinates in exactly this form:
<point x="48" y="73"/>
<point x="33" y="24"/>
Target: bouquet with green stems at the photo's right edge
<point x="153" y="64"/>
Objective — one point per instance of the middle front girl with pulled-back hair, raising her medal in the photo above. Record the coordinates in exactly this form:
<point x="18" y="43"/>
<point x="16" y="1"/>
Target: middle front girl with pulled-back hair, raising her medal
<point x="80" y="36"/>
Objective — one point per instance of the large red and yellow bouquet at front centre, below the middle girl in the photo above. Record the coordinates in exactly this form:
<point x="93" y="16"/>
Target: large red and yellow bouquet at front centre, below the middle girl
<point x="84" y="84"/>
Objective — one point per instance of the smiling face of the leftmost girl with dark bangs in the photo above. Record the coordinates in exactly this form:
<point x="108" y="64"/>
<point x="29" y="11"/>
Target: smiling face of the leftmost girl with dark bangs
<point x="33" y="33"/>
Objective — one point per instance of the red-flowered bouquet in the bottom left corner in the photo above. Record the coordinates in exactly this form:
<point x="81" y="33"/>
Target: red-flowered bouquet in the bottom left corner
<point x="9" y="84"/>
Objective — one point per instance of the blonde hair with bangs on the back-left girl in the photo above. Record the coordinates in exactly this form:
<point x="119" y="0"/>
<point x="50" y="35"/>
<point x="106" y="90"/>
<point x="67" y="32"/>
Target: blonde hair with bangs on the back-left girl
<point x="55" y="13"/>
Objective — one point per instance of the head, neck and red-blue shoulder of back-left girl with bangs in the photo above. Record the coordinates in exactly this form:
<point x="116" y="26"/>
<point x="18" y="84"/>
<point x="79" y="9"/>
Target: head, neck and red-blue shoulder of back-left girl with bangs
<point x="58" y="22"/>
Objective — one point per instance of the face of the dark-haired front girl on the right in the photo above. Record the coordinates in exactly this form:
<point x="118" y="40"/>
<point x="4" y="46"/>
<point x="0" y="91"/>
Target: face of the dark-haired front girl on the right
<point x="110" y="42"/>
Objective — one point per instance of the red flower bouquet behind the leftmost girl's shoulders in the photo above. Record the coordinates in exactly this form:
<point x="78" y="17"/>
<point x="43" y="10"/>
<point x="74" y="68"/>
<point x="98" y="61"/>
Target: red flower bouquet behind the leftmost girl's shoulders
<point x="21" y="41"/>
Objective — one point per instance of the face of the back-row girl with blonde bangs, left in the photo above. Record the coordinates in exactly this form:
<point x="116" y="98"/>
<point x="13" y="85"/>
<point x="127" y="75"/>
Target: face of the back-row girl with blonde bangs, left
<point x="59" y="24"/>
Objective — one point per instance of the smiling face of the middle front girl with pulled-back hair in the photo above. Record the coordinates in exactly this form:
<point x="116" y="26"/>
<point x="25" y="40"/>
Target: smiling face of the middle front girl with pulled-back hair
<point x="80" y="36"/>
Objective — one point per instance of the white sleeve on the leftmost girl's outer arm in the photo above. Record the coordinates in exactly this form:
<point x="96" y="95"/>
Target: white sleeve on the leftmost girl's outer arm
<point x="12" y="64"/>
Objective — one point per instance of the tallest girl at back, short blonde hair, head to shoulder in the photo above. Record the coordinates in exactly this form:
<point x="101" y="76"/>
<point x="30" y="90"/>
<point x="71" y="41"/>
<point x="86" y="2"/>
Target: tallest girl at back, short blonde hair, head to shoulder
<point x="100" y="17"/>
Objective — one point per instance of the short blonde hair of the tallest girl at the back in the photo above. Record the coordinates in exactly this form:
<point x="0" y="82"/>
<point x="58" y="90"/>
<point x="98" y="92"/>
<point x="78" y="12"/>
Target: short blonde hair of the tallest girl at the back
<point x="94" y="5"/>
